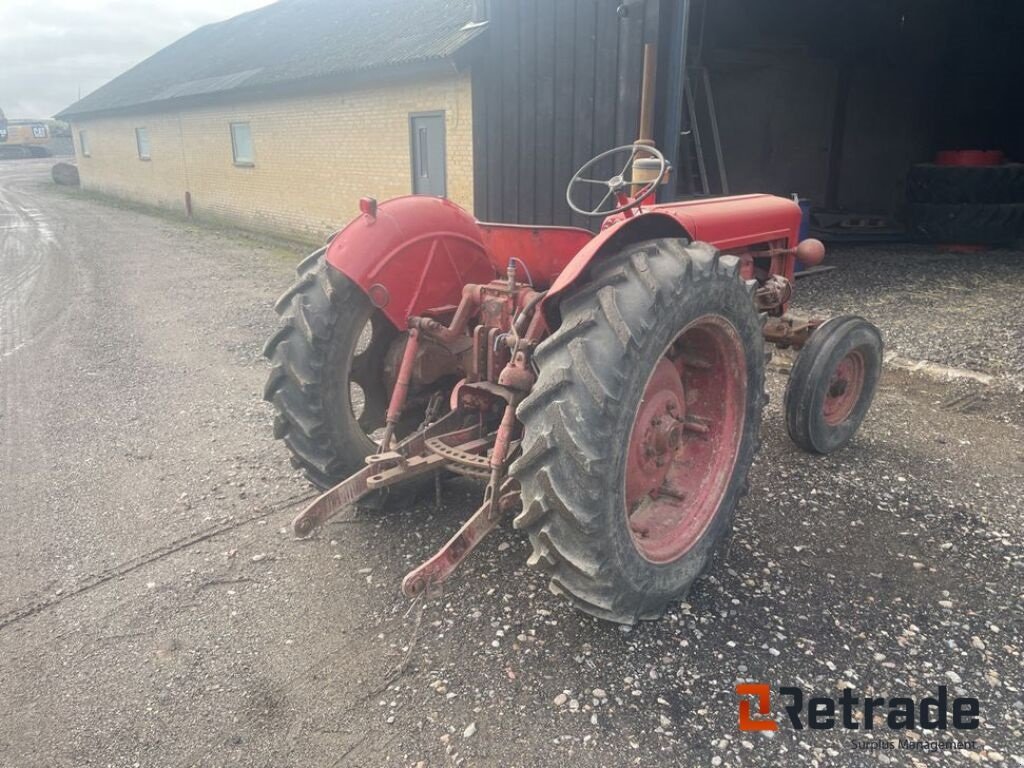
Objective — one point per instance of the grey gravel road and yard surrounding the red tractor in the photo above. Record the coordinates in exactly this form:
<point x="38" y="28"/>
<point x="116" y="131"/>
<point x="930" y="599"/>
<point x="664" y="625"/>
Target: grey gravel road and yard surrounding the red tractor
<point x="156" y="612"/>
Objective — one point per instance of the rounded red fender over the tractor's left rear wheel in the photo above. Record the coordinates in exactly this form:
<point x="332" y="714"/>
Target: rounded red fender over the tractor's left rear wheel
<point x="411" y="254"/>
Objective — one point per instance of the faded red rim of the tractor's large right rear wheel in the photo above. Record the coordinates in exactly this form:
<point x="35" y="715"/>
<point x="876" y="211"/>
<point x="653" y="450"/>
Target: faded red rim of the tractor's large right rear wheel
<point x="686" y="440"/>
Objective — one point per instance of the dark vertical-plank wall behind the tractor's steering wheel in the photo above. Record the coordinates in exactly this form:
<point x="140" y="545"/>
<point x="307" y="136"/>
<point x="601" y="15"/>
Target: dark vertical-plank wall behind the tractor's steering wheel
<point x="557" y="83"/>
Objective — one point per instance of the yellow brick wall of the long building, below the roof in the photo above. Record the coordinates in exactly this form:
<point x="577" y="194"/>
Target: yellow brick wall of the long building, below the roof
<point x="315" y="155"/>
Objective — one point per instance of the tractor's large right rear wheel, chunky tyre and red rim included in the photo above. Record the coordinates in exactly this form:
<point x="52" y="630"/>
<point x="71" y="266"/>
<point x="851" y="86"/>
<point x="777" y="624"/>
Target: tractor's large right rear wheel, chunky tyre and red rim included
<point x="642" y="429"/>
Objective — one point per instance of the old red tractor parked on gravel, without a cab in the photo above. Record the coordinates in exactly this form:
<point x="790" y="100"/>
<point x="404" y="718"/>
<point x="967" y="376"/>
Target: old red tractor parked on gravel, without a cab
<point x="609" y="388"/>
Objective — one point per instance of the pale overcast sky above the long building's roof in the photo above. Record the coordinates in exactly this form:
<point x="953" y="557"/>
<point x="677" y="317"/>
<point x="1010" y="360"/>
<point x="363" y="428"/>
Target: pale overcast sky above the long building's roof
<point x="52" y="51"/>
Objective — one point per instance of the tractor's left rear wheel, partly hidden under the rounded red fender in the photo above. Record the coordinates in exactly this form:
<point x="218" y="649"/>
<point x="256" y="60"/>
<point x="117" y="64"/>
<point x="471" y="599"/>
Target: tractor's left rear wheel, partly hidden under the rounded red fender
<point x="328" y="378"/>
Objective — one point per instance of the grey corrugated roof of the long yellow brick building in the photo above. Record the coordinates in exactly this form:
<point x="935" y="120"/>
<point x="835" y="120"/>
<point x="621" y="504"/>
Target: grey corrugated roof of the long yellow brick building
<point x="291" y="40"/>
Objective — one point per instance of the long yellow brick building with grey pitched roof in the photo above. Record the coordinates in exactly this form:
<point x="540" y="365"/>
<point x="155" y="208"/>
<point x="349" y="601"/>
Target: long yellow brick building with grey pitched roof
<point x="282" y="118"/>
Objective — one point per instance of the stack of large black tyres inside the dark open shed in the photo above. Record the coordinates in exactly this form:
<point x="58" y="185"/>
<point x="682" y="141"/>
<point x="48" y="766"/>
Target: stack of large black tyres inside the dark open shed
<point x="967" y="204"/>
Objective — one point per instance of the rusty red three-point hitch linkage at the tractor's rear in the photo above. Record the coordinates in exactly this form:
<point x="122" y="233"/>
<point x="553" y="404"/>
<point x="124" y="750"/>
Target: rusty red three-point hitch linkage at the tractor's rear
<point x="470" y="440"/>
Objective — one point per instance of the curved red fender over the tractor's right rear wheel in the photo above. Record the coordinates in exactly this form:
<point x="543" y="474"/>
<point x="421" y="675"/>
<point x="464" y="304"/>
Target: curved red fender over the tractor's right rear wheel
<point x="610" y="241"/>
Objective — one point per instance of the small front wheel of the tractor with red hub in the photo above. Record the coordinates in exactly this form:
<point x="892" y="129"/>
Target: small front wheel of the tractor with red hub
<point x="833" y="383"/>
